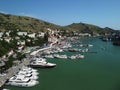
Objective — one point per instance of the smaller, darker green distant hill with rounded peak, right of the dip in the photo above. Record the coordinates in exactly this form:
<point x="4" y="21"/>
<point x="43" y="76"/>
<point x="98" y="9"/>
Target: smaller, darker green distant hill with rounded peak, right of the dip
<point x="89" y="28"/>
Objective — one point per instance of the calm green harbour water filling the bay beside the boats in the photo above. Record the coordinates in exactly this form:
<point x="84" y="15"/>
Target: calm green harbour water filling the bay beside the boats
<point x="97" y="71"/>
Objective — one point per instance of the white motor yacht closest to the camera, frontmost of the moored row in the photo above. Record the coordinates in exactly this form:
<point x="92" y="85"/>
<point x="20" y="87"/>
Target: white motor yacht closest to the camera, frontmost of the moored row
<point x="21" y="81"/>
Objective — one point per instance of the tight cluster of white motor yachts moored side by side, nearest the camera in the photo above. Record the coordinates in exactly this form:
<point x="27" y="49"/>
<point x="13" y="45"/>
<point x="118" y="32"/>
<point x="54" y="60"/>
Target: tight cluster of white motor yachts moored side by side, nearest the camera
<point x="26" y="77"/>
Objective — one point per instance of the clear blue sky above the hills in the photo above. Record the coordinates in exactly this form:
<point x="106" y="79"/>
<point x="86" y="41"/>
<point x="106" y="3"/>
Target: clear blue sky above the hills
<point x="103" y="13"/>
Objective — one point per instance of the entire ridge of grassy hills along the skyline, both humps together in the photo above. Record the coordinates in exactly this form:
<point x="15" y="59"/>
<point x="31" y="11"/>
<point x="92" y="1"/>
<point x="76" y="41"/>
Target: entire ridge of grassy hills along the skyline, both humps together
<point x="13" y="22"/>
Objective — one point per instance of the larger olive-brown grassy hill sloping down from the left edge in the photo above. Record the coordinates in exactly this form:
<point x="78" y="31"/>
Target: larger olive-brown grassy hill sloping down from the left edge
<point x="13" y="22"/>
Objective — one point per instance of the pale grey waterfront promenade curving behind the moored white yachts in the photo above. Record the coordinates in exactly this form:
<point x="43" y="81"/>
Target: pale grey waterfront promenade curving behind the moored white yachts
<point x="14" y="69"/>
